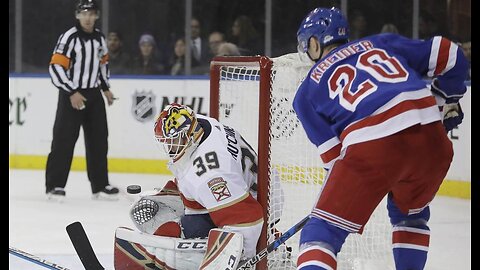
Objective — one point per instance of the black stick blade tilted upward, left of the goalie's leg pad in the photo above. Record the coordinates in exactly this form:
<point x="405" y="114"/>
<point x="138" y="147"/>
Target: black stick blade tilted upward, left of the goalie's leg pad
<point x="83" y="247"/>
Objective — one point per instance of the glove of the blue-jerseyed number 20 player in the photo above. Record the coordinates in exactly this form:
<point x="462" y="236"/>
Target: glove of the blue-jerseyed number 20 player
<point x="452" y="114"/>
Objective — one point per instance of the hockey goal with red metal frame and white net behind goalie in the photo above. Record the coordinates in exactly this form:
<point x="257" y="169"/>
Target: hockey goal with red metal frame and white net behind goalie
<point x="254" y="95"/>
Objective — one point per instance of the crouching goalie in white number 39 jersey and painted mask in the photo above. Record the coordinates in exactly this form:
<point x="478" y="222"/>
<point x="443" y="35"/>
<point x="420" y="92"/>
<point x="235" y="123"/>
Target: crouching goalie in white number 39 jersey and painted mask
<point x="211" y="201"/>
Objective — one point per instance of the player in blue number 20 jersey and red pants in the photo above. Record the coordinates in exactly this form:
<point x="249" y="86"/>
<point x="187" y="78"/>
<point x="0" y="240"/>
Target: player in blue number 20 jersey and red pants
<point x="380" y="130"/>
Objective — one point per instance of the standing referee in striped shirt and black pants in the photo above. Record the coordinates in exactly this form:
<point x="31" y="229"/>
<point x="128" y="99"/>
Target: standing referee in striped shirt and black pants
<point x="79" y="69"/>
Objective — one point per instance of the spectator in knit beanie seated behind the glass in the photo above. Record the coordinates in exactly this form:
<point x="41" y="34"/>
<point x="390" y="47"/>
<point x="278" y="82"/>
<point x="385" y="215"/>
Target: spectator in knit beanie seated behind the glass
<point x="146" y="62"/>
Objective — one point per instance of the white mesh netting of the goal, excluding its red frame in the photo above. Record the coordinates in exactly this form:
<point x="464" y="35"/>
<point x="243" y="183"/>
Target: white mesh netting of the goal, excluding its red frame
<point x="294" y="159"/>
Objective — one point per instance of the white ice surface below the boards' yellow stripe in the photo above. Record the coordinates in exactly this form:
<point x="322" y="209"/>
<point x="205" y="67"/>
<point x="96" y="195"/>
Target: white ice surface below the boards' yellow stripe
<point x="37" y="226"/>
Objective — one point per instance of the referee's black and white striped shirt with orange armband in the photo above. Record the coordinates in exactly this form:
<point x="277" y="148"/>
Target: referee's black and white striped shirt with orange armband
<point x="80" y="61"/>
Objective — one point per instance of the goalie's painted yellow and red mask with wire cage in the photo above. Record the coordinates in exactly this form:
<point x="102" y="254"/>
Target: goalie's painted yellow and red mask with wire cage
<point x="177" y="130"/>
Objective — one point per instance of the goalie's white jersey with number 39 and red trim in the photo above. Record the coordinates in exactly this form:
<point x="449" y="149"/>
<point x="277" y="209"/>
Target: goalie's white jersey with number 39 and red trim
<point x="219" y="178"/>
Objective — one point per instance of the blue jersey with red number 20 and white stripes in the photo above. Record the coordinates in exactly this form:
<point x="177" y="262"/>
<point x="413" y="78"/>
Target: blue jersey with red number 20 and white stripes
<point x="373" y="87"/>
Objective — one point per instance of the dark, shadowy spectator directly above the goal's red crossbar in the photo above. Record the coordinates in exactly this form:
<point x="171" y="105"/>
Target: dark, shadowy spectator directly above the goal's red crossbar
<point x="245" y="36"/>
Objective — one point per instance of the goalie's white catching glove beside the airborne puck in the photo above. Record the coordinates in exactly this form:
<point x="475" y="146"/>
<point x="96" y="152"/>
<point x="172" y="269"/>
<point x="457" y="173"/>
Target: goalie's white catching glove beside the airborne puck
<point x="159" y="213"/>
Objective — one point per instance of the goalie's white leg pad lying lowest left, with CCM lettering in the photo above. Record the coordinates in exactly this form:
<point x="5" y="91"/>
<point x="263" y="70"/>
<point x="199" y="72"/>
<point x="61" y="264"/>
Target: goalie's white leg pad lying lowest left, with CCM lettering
<point x="136" y="250"/>
